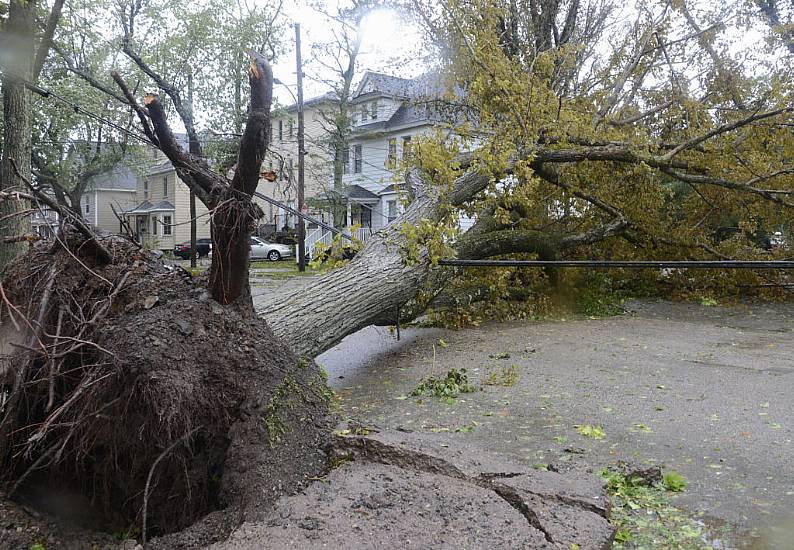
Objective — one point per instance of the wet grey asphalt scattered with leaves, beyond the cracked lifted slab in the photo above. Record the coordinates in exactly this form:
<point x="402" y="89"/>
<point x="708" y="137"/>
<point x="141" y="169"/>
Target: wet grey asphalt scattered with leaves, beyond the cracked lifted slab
<point x="707" y="391"/>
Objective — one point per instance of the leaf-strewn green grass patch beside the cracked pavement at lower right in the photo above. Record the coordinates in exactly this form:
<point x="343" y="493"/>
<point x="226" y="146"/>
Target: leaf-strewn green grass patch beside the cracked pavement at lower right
<point x="645" y="517"/>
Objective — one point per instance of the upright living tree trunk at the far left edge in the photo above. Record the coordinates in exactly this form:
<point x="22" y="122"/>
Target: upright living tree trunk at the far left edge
<point x="17" y="121"/>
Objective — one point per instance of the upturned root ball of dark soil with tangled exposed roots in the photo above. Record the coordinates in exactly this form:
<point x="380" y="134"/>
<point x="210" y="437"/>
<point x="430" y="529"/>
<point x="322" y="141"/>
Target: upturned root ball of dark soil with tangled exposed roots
<point x="126" y="389"/>
